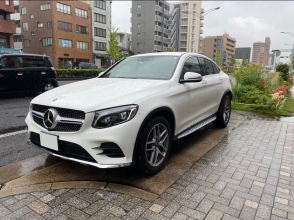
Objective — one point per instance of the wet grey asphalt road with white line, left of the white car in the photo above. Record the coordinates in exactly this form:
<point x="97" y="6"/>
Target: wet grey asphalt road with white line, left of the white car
<point x="13" y="110"/>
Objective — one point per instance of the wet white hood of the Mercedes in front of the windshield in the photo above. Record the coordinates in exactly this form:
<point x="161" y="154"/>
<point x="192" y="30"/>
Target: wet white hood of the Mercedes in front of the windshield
<point x="100" y="93"/>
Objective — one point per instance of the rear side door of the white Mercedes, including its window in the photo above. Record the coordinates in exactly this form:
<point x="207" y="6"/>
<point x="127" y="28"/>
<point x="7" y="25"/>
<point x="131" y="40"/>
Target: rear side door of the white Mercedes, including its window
<point x="213" y="83"/>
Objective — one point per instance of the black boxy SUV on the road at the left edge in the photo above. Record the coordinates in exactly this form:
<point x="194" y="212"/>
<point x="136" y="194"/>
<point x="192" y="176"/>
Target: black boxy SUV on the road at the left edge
<point x="26" y="72"/>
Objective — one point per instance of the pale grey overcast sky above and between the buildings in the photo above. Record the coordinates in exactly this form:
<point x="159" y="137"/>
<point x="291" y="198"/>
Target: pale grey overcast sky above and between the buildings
<point x="246" y="21"/>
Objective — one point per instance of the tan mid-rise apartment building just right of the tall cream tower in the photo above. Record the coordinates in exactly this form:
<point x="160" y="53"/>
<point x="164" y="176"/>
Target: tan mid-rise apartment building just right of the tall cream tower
<point x="223" y="44"/>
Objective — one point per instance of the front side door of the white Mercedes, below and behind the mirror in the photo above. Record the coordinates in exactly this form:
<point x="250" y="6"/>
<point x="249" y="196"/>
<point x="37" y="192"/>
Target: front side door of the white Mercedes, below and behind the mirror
<point x="191" y="99"/>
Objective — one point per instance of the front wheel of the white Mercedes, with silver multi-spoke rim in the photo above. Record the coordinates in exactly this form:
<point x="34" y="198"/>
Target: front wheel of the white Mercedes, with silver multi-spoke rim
<point x="154" y="150"/>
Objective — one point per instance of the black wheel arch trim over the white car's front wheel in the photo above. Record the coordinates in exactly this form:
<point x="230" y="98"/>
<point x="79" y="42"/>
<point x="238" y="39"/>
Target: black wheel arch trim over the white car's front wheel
<point x="162" y="111"/>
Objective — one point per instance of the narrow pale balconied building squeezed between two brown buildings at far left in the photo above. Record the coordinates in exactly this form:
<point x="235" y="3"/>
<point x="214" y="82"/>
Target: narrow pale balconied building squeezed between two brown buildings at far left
<point x="17" y="38"/>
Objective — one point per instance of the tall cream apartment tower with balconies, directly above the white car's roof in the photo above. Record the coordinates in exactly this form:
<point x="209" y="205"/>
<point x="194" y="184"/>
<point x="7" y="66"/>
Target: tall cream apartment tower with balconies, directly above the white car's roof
<point x="190" y="23"/>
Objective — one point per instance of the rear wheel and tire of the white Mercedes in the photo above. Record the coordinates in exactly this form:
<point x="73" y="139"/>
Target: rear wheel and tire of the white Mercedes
<point x="224" y="113"/>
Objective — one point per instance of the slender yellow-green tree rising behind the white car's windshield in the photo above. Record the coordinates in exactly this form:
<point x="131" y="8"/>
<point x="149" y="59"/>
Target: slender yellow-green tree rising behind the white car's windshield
<point x="113" y="50"/>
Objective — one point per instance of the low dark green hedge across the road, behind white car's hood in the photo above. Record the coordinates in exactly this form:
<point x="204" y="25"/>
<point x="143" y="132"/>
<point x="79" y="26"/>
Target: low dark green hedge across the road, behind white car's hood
<point x="78" y="73"/>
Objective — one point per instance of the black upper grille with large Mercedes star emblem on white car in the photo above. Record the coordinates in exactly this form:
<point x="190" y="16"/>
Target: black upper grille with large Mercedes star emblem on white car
<point x="61" y="126"/>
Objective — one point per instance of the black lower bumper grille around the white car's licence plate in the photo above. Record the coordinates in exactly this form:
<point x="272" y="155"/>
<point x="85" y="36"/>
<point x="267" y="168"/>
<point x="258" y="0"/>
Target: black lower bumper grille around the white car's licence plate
<point x="66" y="149"/>
